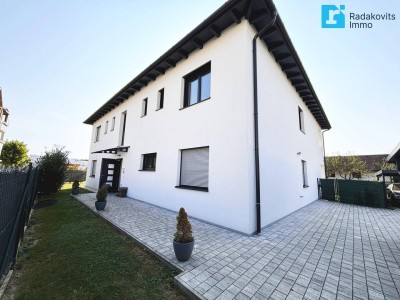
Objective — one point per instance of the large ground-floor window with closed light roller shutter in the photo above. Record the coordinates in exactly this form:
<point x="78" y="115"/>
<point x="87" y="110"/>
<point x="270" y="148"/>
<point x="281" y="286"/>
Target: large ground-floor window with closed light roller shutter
<point x="194" y="169"/>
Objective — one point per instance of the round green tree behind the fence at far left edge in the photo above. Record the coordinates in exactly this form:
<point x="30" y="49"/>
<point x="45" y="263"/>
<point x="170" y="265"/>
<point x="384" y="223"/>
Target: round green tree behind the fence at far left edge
<point x="14" y="154"/>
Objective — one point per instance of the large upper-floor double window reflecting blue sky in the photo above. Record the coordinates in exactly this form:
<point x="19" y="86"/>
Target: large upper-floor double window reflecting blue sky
<point x="197" y="85"/>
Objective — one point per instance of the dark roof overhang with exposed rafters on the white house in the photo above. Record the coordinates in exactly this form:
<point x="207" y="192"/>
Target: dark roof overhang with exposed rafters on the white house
<point x="258" y="13"/>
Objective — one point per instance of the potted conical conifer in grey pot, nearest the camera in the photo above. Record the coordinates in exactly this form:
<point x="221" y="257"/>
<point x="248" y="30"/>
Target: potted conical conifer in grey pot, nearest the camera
<point x="183" y="241"/>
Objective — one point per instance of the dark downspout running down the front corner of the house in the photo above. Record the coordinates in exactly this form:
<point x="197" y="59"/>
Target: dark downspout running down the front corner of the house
<point x="256" y="150"/>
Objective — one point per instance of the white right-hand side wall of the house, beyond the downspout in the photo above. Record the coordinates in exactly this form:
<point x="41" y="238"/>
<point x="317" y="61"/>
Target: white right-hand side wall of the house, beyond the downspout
<point x="282" y="145"/>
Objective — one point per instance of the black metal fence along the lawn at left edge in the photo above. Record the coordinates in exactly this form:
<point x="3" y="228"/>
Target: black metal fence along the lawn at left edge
<point x="18" y="189"/>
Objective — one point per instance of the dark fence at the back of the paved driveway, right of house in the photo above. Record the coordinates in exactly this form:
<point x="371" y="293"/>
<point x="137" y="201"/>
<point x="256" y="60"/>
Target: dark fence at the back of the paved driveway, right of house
<point x="366" y="193"/>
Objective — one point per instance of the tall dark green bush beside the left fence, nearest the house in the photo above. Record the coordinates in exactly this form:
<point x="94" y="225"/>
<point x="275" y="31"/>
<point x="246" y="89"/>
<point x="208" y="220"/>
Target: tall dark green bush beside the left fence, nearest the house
<point x="52" y="165"/>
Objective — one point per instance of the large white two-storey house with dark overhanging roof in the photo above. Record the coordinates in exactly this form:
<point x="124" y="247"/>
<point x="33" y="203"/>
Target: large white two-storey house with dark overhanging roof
<point x="183" y="133"/>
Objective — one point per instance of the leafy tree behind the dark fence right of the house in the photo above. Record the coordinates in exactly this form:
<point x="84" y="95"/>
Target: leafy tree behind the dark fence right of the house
<point x="347" y="167"/>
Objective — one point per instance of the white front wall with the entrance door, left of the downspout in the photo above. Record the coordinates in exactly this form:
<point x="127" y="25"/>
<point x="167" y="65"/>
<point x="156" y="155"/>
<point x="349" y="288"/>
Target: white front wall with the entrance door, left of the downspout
<point x="219" y="123"/>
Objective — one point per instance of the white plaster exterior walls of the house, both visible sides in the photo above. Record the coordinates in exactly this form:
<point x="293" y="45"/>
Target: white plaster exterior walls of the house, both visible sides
<point x="225" y="124"/>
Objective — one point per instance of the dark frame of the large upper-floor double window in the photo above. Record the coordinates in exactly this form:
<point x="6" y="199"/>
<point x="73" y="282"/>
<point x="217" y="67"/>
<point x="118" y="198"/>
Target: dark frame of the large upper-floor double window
<point x="196" y="75"/>
